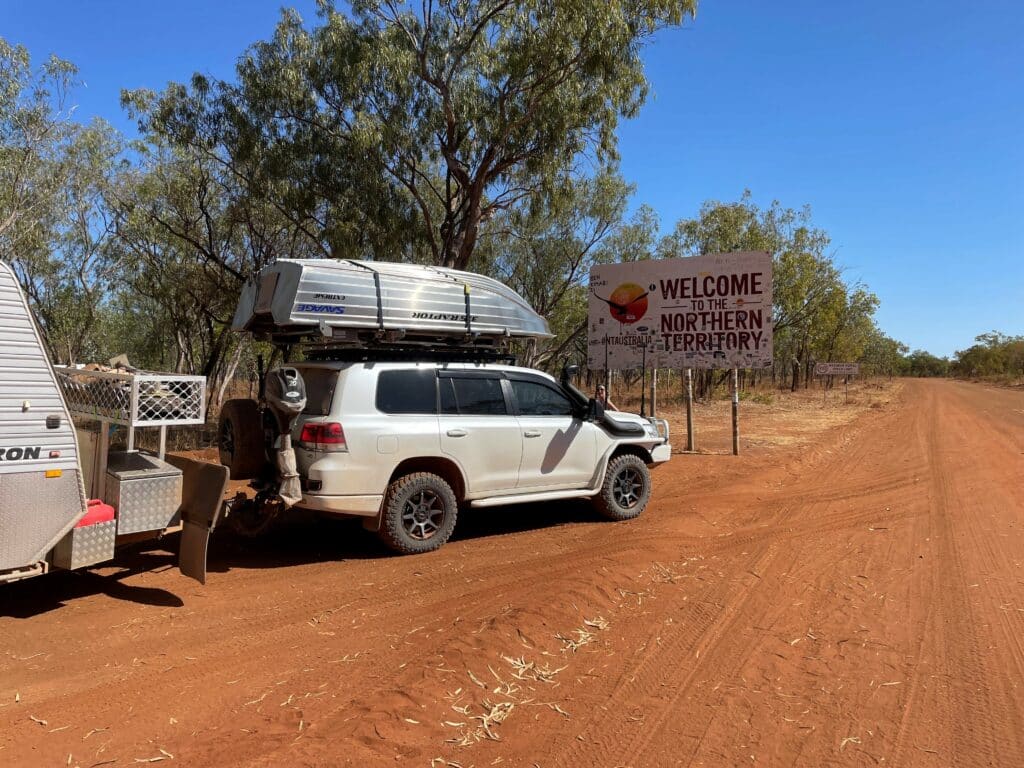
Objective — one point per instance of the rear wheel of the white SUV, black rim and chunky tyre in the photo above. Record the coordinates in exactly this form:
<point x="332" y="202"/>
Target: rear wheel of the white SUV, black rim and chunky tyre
<point x="418" y="515"/>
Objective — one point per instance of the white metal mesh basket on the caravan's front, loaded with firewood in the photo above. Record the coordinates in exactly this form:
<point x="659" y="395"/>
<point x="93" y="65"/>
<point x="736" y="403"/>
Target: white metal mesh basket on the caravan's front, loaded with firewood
<point x="142" y="400"/>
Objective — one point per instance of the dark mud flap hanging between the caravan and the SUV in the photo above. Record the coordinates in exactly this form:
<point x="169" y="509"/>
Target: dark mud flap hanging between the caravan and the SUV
<point x="203" y="487"/>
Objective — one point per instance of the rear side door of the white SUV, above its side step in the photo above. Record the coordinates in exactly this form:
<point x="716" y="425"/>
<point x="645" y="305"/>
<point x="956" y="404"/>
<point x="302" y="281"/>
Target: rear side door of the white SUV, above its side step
<point x="479" y="430"/>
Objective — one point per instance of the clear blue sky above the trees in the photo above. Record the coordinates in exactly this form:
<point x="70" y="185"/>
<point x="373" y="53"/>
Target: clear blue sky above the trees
<point x="901" y="123"/>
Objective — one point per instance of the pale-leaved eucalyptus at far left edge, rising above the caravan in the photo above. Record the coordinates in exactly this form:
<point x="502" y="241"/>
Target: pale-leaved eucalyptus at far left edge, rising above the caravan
<point x="55" y="228"/>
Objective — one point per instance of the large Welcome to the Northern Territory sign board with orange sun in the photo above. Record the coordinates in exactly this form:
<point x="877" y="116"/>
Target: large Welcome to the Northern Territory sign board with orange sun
<point x="702" y="312"/>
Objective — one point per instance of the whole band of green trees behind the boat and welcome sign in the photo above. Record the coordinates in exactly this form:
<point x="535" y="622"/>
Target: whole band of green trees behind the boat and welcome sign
<point x="477" y="136"/>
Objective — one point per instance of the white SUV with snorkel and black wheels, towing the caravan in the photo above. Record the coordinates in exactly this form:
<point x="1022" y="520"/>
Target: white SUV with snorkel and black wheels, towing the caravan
<point x="403" y="445"/>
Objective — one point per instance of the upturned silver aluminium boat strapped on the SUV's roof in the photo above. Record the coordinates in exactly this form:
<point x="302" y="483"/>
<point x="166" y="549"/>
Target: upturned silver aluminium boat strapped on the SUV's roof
<point x="377" y="306"/>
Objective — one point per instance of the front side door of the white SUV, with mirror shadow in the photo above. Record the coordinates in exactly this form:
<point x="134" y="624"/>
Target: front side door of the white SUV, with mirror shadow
<point x="560" y="450"/>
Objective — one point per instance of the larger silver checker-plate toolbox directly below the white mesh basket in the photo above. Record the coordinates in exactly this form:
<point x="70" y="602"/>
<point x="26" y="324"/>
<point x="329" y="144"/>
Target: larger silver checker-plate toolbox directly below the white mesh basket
<point x="145" y="491"/>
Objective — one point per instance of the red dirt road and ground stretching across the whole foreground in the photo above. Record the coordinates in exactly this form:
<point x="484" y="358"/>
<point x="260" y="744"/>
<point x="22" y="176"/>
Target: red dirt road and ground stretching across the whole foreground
<point x="859" y="601"/>
